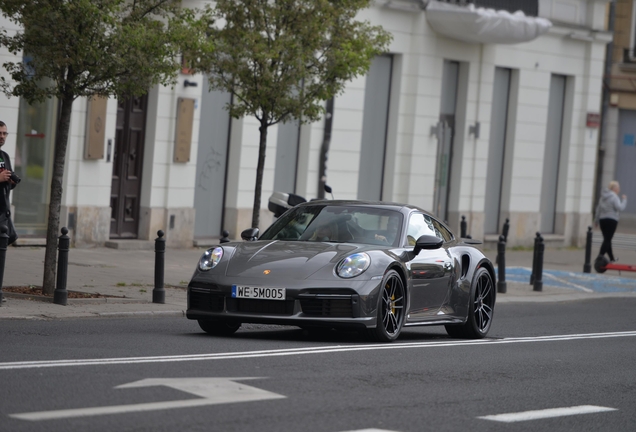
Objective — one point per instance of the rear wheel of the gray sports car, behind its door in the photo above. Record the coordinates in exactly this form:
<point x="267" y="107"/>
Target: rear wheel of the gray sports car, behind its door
<point x="481" y="308"/>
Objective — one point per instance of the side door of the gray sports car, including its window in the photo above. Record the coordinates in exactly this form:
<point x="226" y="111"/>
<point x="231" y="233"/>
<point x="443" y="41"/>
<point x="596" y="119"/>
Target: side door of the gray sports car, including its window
<point x="431" y="270"/>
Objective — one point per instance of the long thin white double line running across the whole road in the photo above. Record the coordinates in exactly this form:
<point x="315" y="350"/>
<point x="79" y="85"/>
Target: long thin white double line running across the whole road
<point x="306" y="351"/>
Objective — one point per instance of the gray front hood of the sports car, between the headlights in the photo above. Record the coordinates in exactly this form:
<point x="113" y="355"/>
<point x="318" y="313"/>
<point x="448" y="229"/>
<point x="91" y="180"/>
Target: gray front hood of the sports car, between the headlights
<point x="296" y="260"/>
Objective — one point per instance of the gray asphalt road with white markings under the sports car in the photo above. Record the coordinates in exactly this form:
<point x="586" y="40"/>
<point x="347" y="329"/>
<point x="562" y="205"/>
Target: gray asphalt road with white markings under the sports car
<point x="163" y="374"/>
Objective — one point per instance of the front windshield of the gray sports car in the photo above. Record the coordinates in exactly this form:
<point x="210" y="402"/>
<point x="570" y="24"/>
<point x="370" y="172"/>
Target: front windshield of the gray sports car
<point x="338" y="224"/>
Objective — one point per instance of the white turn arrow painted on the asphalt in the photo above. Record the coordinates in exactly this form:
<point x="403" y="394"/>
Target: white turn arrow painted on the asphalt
<point x="212" y="391"/>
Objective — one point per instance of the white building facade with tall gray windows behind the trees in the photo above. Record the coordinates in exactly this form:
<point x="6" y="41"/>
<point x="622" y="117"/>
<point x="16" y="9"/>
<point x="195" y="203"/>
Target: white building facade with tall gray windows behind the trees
<point x="474" y="123"/>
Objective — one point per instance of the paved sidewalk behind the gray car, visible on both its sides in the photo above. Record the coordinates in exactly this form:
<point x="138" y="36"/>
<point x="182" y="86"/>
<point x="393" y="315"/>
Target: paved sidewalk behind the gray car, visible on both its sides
<point x="128" y="276"/>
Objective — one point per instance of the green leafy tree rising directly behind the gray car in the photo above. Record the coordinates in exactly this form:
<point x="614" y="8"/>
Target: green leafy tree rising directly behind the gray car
<point x="282" y="59"/>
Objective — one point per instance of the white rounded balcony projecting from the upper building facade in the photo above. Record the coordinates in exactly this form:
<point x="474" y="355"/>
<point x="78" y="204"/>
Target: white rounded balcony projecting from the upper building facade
<point x="479" y="25"/>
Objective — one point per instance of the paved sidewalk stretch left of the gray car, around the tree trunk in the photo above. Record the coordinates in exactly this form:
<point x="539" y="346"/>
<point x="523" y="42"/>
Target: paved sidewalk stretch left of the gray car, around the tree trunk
<point x="126" y="275"/>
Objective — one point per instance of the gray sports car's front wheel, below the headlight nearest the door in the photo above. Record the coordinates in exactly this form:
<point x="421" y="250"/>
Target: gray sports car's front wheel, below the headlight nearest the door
<point x="391" y="307"/>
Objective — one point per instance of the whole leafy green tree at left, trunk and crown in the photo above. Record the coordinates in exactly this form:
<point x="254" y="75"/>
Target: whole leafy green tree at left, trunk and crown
<point x="84" y="48"/>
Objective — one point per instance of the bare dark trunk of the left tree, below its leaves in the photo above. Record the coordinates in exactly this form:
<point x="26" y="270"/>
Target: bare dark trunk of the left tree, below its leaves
<point x="61" y="142"/>
